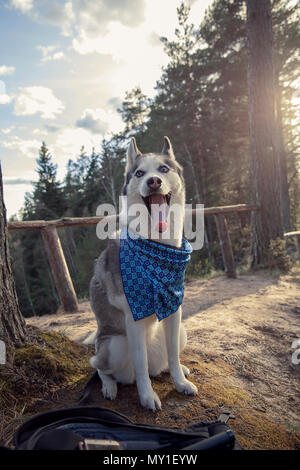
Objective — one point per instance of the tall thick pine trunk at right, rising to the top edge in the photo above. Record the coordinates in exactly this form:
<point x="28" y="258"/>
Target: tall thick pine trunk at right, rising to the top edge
<point x="265" y="173"/>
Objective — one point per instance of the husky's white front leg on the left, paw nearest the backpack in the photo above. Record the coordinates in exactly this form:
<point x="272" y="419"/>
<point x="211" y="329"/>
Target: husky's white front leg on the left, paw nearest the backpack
<point x="136" y="334"/>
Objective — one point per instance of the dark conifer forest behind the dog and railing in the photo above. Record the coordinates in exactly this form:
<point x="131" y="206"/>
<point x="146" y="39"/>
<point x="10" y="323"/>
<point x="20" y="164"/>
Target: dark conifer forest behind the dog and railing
<point x="201" y="103"/>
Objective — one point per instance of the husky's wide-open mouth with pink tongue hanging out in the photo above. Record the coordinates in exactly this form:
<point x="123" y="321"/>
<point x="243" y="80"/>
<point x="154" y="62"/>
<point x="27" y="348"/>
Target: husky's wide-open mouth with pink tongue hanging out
<point x="158" y="205"/>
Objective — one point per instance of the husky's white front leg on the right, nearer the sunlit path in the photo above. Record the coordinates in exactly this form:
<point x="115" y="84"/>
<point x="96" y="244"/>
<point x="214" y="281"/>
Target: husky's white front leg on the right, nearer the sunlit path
<point x="172" y="328"/>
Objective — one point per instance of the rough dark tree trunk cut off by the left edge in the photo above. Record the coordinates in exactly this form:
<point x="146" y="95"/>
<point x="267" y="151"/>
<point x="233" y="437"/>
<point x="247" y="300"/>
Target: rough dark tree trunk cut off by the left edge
<point x="12" y="324"/>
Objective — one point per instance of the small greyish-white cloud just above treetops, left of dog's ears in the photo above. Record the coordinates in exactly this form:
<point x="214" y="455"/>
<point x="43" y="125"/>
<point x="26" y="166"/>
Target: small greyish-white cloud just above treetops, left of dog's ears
<point x="100" y="121"/>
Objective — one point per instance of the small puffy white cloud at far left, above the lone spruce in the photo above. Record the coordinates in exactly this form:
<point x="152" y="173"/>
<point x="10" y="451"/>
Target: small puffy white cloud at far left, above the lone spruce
<point x="37" y="99"/>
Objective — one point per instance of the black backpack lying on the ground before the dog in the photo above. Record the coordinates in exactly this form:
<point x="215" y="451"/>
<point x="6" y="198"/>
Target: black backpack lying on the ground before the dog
<point x="91" y="427"/>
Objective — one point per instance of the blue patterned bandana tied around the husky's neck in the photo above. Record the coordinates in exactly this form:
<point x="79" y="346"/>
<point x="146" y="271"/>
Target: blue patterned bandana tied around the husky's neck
<point x="153" y="275"/>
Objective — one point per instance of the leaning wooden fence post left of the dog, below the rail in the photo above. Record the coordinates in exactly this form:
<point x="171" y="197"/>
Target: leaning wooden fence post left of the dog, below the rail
<point x="59" y="269"/>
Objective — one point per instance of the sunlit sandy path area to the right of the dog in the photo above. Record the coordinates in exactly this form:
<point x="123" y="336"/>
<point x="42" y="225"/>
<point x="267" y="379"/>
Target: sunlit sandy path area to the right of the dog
<point x="251" y="325"/>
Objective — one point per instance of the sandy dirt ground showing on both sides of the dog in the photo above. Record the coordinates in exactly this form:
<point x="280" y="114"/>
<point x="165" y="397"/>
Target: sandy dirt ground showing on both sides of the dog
<point x="239" y="350"/>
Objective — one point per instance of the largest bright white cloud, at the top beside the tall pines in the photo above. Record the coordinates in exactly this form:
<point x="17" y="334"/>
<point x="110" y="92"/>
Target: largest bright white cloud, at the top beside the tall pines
<point x="126" y="30"/>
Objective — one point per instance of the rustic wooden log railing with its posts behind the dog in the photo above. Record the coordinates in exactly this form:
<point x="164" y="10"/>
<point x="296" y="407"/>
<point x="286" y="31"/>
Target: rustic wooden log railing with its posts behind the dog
<point x="58" y="263"/>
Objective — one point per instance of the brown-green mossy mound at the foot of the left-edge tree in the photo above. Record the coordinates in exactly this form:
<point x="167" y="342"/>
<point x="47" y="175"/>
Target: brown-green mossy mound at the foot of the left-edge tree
<point x="38" y="371"/>
